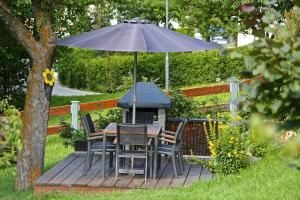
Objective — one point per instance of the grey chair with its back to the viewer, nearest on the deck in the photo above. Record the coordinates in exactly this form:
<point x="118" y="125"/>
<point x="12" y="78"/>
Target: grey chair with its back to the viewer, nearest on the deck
<point x="132" y="134"/>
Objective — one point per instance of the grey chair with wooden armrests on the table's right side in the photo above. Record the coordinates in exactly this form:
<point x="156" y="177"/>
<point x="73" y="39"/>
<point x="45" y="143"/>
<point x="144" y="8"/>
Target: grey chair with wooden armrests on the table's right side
<point x="170" y="144"/>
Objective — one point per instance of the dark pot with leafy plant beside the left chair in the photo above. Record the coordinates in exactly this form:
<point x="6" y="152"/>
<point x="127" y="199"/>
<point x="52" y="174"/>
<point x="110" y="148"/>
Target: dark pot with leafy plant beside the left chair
<point x="73" y="137"/>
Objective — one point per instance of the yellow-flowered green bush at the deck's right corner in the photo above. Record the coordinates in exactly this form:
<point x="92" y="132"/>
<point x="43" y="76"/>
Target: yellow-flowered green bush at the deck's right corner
<point x="229" y="147"/>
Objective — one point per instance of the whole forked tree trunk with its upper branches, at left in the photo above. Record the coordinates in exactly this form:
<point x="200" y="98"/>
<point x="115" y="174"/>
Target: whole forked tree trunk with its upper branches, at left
<point x="35" y="119"/>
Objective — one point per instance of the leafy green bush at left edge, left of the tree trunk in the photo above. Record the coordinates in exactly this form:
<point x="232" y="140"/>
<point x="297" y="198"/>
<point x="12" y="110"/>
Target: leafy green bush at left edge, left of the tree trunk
<point x="10" y="134"/>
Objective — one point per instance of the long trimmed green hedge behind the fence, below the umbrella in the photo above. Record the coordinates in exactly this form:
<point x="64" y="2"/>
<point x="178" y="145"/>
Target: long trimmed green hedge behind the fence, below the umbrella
<point x="84" y="69"/>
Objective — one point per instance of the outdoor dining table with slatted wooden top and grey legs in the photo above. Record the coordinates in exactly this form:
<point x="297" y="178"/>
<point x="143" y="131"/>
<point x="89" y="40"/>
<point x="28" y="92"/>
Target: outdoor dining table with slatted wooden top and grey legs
<point x="153" y="131"/>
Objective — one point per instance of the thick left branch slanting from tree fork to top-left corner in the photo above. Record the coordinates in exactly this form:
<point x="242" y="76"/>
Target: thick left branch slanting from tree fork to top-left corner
<point x="22" y="34"/>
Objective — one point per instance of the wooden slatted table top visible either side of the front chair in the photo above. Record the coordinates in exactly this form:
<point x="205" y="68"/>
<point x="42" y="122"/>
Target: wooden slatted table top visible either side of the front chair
<point x="152" y="129"/>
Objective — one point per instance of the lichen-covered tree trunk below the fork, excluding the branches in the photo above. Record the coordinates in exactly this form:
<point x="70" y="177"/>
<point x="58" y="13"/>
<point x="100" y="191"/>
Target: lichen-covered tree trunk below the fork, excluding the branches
<point x="35" y="122"/>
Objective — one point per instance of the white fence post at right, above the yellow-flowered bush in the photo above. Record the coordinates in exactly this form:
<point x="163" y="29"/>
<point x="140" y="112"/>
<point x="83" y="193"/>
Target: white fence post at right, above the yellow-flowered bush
<point x="234" y="89"/>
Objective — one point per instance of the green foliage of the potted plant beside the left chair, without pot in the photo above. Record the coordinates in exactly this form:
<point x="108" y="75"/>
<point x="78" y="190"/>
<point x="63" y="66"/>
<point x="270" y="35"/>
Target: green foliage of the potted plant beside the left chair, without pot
<point x="69" y="134"/>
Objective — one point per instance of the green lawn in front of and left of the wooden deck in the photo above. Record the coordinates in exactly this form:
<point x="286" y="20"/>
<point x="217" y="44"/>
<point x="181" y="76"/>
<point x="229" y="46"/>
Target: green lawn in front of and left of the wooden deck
<point x="269" y="178"/>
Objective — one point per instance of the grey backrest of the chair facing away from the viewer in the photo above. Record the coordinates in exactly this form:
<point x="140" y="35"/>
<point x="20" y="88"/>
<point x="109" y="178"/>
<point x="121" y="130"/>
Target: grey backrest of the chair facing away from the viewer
<point x="132" y="134"/>
